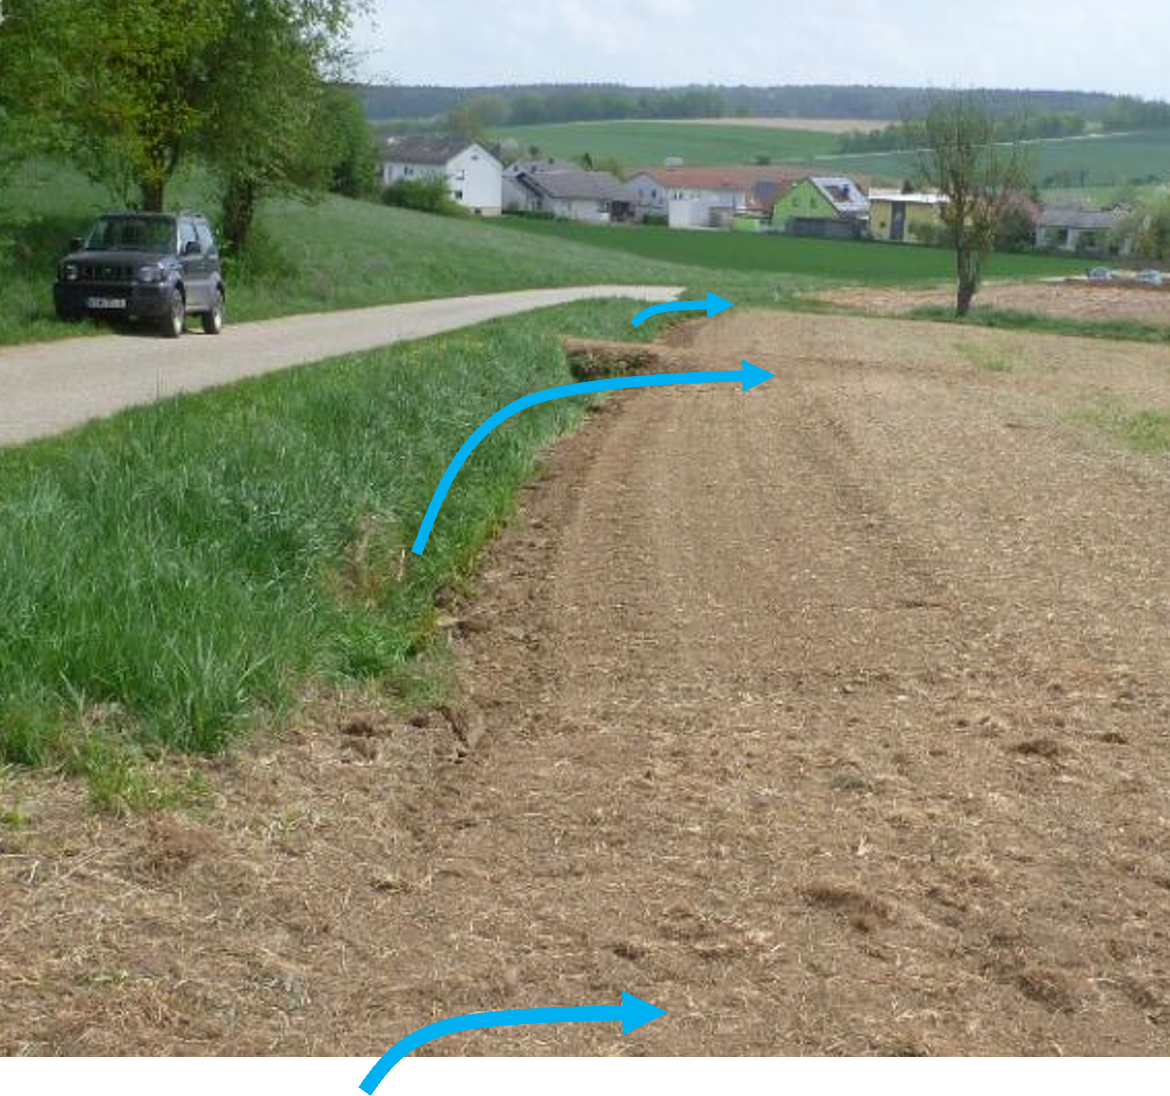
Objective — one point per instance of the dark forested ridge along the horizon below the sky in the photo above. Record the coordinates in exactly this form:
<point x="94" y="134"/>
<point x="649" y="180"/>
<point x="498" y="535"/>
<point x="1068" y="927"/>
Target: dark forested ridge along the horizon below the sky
<point x="529" y="105"/>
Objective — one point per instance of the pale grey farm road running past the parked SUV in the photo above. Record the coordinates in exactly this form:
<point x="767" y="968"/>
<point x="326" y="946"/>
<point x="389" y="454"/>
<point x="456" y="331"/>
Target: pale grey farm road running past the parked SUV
<point x="52" y="388"/>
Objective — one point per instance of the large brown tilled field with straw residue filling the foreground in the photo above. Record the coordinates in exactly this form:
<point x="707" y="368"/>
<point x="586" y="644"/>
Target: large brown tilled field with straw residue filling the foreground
<point x="832" y="719"/>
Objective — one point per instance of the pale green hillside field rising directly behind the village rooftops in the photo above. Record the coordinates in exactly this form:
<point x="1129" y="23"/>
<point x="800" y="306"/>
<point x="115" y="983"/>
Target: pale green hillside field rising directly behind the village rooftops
<point x="649" y="144"/>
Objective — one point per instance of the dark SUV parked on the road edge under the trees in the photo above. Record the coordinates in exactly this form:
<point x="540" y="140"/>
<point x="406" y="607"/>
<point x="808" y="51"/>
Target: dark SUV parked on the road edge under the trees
<point x="157" y="267"/>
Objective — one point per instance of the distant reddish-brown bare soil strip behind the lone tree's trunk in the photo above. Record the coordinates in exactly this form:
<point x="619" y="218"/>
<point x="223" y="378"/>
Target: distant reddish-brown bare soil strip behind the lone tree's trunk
<point x="1061" y="300"/>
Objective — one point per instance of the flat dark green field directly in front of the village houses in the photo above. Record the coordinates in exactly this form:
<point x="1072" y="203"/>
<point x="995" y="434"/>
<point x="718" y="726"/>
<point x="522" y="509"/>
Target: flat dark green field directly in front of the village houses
<point x="844" y="261"/>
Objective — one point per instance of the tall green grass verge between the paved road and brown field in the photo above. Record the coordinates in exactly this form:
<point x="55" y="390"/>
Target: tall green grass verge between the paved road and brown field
<point x="170" y="573"/>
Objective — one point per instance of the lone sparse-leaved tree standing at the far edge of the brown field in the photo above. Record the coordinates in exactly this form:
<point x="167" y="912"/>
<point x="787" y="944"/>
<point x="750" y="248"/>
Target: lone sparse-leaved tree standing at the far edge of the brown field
<point x="981" y="178"/>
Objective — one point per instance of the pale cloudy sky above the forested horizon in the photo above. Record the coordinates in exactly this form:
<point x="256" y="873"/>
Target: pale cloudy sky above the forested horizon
<point x="1120" y="46"/>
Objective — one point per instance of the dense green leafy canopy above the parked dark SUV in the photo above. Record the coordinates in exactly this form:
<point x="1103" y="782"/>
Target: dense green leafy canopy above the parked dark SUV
<point x="137" y="87"/>
